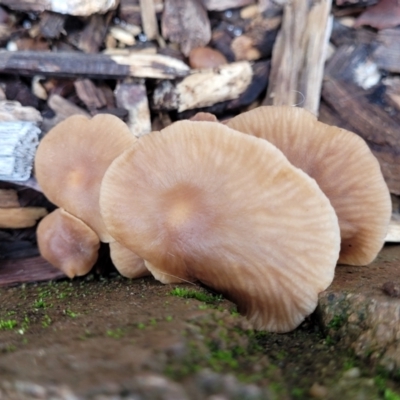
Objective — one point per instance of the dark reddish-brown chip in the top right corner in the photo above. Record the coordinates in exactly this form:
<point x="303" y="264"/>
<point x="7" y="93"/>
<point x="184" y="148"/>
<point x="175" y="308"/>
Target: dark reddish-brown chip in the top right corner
<point x="385" y="14"/>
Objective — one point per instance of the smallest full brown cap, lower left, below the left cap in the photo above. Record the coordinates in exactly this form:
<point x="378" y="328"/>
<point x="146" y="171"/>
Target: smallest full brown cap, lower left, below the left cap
<point x="67" y="243"/>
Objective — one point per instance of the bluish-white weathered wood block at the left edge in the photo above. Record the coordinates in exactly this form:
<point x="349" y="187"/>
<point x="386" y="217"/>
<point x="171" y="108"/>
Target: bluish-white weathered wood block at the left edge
<point x="18" y="143"/>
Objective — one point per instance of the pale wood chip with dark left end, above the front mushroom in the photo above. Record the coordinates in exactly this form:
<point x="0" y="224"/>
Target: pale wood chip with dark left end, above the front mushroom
<point x="204" y="88"/>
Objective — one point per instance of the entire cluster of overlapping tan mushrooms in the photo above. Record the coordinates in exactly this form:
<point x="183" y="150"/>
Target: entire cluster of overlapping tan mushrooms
<point x="201" y="201"/>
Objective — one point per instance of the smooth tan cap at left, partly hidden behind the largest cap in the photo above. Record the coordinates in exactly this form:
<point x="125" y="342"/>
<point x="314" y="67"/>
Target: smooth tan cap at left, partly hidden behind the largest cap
<point x="71" y="160"/>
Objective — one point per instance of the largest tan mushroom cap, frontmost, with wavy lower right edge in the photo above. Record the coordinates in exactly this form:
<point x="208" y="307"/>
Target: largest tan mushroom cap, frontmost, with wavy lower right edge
<point x="200" y="201"/>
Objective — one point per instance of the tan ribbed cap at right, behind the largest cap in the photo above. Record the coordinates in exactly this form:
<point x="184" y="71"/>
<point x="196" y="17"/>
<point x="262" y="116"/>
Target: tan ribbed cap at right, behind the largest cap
<point x="343" y="166"/>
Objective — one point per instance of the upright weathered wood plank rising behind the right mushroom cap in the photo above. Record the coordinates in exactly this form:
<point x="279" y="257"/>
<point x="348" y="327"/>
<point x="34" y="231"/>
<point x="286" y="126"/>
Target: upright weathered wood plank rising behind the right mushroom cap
<point x="299" y="55"/>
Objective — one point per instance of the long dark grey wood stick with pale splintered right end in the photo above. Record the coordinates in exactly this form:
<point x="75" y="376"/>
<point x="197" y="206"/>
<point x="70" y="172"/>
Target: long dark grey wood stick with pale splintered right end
<point x="74" y="64"/>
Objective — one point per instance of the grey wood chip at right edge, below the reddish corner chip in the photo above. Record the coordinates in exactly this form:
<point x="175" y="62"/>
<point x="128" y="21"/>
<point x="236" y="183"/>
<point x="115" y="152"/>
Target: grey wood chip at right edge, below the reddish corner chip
<point x="387" y="54"/>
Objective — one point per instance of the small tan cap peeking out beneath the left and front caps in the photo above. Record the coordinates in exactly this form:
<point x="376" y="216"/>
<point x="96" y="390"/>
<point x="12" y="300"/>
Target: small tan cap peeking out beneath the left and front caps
<point x="126" y="262"/>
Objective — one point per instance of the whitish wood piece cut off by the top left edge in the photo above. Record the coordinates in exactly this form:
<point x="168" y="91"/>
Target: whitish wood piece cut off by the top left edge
<point x="74" y="7"/>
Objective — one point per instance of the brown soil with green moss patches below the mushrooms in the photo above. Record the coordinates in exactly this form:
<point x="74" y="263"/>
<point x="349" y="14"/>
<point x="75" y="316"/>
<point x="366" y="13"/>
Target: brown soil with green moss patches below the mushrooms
<point x="85" y="332"/>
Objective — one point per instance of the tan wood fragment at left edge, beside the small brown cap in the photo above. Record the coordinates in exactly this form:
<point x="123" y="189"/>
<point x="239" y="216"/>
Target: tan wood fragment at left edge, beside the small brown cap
<point x="21" y="217"/>
